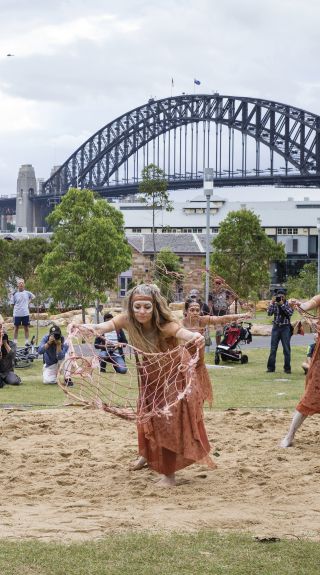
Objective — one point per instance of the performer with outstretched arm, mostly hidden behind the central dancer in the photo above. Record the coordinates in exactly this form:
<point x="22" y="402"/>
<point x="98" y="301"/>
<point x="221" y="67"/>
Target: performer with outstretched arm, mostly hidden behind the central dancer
<point x="194" y="321"/>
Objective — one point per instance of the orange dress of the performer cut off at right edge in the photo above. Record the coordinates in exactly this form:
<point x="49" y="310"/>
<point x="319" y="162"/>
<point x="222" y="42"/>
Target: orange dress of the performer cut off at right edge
<point x="310" y="401"/>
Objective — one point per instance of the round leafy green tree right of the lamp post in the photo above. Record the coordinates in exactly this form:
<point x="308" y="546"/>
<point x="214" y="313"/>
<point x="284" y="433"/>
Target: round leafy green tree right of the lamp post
<point x="242" y="253"/>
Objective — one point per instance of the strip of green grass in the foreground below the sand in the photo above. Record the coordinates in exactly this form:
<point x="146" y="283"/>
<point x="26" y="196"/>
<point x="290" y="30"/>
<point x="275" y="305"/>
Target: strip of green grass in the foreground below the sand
<point x="203" y="553"/>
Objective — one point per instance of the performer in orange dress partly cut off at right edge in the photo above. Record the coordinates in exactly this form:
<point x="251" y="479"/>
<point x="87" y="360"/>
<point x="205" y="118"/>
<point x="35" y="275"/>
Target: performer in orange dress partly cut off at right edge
<point x="310" y="401"/>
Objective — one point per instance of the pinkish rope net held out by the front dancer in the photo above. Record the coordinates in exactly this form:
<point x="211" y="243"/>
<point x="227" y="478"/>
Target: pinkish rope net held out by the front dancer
<point x="153" y="383"/>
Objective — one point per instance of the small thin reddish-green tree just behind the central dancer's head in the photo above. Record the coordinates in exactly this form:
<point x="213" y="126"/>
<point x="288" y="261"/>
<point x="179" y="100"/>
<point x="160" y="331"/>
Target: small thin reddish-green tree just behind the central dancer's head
<point x="167" y="261"/>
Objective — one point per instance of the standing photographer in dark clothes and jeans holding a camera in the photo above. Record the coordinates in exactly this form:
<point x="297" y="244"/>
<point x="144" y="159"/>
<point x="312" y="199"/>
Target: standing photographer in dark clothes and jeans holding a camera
<point x="281" y="329"/>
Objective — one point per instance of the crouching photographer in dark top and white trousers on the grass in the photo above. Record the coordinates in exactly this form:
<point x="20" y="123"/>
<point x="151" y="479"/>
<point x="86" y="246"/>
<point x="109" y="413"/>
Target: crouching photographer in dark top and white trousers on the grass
<point x="53" y="348"/>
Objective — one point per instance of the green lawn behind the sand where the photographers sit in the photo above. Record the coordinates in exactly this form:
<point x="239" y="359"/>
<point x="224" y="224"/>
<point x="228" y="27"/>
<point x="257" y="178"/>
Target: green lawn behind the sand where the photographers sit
<point x="243" y="386"/>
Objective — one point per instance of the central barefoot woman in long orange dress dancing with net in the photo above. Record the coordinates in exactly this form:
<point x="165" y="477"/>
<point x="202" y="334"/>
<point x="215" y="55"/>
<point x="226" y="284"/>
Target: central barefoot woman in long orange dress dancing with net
<point x="166" y="444"/>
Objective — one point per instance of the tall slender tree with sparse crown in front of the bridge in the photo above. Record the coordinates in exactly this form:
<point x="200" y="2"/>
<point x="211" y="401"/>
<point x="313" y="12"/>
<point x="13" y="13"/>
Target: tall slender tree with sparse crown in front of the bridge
<point x="153" y="189"/>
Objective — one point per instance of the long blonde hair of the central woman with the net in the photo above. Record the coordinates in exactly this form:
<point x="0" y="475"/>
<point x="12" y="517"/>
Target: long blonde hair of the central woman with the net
<point x="161" y="314"/>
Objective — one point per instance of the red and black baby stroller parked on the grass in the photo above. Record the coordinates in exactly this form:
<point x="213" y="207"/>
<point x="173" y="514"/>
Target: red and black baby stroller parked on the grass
<point x="229" y="349"/>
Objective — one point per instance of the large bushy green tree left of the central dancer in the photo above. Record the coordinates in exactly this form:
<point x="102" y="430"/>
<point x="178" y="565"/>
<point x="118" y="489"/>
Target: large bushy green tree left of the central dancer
<point x="89" y="249"/>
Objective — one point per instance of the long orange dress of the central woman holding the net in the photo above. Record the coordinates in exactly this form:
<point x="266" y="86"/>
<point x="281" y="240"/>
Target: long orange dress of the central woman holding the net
<point x="172" y="442"/>
